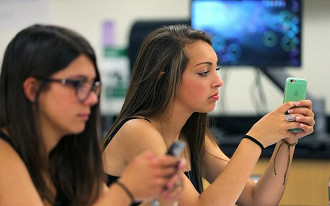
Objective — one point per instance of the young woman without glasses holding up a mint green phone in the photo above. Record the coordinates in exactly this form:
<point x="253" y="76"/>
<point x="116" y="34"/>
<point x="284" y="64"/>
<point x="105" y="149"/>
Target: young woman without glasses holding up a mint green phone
<point x="174" y="84"/>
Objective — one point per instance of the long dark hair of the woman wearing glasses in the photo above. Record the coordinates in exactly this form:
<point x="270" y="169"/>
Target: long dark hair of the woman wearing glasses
<point x="75" y="164"/>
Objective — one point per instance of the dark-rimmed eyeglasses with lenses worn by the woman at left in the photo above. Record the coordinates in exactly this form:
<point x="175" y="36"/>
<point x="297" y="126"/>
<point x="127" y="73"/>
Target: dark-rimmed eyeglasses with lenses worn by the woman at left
<point x="83" y="87"/>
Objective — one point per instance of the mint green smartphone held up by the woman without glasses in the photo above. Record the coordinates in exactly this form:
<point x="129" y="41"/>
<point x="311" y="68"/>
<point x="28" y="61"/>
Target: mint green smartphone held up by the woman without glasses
<point x="295" y="90"/>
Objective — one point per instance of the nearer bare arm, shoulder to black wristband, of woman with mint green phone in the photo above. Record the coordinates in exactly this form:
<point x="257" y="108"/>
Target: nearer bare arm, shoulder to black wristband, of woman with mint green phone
<point x="145" y="137"/>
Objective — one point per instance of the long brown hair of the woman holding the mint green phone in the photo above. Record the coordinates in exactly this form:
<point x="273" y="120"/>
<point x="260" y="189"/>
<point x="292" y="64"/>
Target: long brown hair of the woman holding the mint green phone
<point x="163" y="50"/>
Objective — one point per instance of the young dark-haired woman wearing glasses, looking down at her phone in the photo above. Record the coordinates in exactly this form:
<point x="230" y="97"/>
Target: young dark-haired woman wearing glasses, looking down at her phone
<point x="50" y="151"/>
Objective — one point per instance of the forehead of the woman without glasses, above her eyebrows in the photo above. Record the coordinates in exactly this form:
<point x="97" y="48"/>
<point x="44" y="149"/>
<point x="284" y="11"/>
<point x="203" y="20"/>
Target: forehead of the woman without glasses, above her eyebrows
<point x="200" y="51"/>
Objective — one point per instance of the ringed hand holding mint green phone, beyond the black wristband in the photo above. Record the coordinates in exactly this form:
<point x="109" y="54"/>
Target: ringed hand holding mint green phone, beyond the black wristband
<point x="273" y="127"/>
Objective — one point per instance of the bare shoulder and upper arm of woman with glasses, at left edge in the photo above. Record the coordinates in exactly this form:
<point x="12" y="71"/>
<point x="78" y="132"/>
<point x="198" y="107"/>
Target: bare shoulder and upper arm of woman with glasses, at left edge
<point x="16" y="186"/>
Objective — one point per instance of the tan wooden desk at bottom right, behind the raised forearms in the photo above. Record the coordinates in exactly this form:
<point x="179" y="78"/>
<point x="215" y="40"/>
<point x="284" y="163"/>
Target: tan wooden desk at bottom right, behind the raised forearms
<point x="307" y="184"/>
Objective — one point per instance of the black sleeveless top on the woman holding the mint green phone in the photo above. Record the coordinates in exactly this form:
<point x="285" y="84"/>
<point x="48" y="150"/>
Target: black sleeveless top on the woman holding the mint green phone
<point x="192" y="175"/>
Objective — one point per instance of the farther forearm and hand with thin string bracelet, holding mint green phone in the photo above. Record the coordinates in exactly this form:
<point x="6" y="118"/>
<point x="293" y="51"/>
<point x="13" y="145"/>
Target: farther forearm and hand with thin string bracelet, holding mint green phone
<point x="270" y="187"/>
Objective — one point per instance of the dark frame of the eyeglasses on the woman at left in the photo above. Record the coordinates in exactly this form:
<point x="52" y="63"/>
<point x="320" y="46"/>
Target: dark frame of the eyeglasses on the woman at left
<point x="76" y="84"/>
